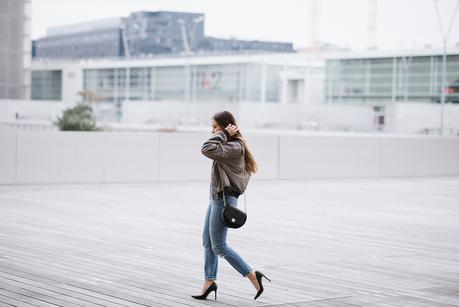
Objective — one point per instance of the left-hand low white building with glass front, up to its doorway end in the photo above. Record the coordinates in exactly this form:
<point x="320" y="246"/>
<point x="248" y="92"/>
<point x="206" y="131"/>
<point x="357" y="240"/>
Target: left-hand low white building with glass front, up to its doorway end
<point x="232" y="78"/>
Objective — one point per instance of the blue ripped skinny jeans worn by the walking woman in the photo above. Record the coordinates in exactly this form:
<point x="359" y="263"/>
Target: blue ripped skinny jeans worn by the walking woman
<point x="214" y="241"/>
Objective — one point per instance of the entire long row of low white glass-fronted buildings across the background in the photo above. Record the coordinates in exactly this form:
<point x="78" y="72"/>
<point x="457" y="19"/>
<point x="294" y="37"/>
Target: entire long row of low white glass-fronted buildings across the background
<point x="347" y="78"/>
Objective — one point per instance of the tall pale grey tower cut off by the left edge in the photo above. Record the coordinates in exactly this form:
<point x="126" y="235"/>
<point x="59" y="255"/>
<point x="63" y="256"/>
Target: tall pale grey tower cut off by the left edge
<point x="15" y="49"/>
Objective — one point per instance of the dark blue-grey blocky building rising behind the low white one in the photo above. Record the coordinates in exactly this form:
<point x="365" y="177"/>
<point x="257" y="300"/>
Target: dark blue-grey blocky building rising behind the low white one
<point x="140" y="34"/>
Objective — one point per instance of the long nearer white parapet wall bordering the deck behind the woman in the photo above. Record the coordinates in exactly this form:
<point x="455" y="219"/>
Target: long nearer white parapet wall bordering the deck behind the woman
<point x="89" y="157"/>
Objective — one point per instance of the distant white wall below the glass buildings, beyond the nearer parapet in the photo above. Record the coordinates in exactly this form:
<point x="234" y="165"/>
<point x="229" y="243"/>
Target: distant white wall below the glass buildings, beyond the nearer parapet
<point x="413" y="118"/>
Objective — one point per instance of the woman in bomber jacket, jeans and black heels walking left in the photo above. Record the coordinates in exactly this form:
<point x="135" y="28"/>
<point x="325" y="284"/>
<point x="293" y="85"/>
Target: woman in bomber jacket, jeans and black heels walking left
<point x="233" y="163"/>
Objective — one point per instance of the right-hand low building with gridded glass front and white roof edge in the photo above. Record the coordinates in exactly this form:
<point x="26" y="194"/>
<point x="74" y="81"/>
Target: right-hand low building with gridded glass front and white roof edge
<point x="382" y="77"/>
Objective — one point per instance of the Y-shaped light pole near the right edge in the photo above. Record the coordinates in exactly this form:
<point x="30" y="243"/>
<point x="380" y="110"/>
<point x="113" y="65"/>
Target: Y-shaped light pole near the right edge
<point x="443" y="70"/>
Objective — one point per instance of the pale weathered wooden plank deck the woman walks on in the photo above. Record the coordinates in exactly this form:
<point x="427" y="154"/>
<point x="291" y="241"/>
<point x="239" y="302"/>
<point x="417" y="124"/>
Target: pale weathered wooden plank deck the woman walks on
<point x="340" y="243"/>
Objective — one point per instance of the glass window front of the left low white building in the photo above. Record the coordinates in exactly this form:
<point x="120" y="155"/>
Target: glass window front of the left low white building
<point x="207" y="82"/>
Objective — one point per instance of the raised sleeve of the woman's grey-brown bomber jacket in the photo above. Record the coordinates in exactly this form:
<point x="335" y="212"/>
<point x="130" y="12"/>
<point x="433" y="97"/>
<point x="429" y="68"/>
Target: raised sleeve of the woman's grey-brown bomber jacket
<point x="218" y="147"/>
